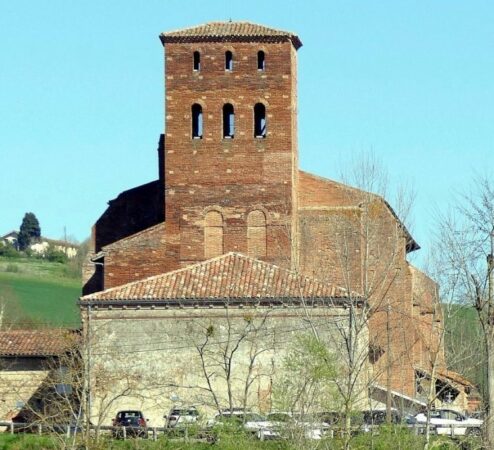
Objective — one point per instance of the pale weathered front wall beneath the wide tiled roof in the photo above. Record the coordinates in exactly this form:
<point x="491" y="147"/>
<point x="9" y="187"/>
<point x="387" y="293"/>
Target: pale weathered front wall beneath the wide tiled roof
<point x="148" y="359"/>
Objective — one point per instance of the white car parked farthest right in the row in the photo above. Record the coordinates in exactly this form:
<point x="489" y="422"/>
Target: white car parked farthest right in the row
<point x="453" y="423"/>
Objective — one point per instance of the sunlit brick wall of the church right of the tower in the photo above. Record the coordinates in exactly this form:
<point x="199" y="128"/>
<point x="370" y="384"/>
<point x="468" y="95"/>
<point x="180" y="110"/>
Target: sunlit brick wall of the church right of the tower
<point x="352" y="238"/>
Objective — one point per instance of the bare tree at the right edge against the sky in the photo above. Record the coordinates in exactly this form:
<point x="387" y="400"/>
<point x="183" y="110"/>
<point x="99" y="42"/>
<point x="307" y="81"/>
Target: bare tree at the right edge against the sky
<point x="466" y="243"/>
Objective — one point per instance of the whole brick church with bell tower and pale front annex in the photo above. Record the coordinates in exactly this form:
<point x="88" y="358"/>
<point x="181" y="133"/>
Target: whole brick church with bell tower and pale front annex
<point x="233" y="232"/>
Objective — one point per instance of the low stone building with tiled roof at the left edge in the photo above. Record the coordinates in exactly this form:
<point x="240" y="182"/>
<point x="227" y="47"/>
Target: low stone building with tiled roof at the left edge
<point x="28" y="359"/>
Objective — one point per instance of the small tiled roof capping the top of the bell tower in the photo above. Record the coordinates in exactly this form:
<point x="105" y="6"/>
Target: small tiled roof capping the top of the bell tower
<point x="229" y="31"/>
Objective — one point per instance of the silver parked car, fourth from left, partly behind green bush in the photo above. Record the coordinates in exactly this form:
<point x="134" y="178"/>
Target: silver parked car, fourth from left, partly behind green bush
<point x="285" y="424"/>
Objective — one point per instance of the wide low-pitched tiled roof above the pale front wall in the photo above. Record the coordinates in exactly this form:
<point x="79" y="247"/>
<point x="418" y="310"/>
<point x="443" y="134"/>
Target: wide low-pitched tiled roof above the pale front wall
<point x="230" y="276"/>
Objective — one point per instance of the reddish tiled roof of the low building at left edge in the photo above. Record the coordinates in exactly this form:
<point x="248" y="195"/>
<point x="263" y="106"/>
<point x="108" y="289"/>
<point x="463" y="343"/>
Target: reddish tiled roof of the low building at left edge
<point x="50" y="342"/>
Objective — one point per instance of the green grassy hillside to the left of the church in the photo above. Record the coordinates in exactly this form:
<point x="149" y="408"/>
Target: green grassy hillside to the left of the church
<point x="39" y="293"/>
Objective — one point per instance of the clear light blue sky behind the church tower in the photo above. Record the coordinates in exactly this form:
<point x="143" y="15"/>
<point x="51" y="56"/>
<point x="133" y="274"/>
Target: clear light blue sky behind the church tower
<point x="81" y="97"/>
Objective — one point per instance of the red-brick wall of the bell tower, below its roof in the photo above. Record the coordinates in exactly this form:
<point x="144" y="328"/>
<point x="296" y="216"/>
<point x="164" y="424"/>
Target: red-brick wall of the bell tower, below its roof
<point x="232" y="176"/>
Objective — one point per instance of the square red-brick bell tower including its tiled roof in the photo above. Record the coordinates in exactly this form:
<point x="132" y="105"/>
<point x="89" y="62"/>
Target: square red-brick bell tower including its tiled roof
<point x="230" y="152"/>
